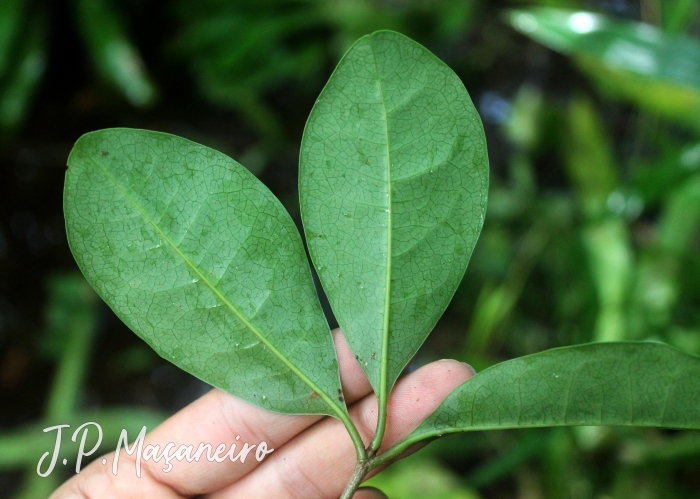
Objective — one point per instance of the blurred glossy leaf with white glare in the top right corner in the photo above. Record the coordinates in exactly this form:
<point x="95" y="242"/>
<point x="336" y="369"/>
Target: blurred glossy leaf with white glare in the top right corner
<point x="640" y="63"/>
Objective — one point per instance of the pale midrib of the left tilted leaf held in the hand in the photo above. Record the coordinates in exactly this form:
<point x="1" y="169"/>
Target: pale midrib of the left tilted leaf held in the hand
<point x="220" y="296"/>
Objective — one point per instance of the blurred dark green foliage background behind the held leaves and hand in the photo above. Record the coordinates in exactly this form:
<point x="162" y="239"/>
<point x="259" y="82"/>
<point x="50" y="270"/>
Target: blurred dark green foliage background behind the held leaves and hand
<point x="592" y="116"/>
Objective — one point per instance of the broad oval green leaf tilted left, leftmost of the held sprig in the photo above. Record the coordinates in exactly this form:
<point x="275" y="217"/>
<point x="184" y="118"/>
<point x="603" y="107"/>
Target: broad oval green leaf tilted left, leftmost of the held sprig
<point x="198" y="258"/>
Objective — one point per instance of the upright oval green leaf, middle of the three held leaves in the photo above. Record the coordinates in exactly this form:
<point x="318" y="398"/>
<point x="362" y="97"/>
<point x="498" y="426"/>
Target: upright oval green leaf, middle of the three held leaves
<point x="393" y="183"/>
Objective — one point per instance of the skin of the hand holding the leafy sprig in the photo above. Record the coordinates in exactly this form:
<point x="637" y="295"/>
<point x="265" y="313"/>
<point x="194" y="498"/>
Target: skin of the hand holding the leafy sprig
<point x="313" y="457"/>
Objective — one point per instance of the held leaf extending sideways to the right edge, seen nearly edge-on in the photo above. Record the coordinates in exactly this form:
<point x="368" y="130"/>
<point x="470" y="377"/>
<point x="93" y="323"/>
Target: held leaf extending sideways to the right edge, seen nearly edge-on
<point x="626" y="383"/>
